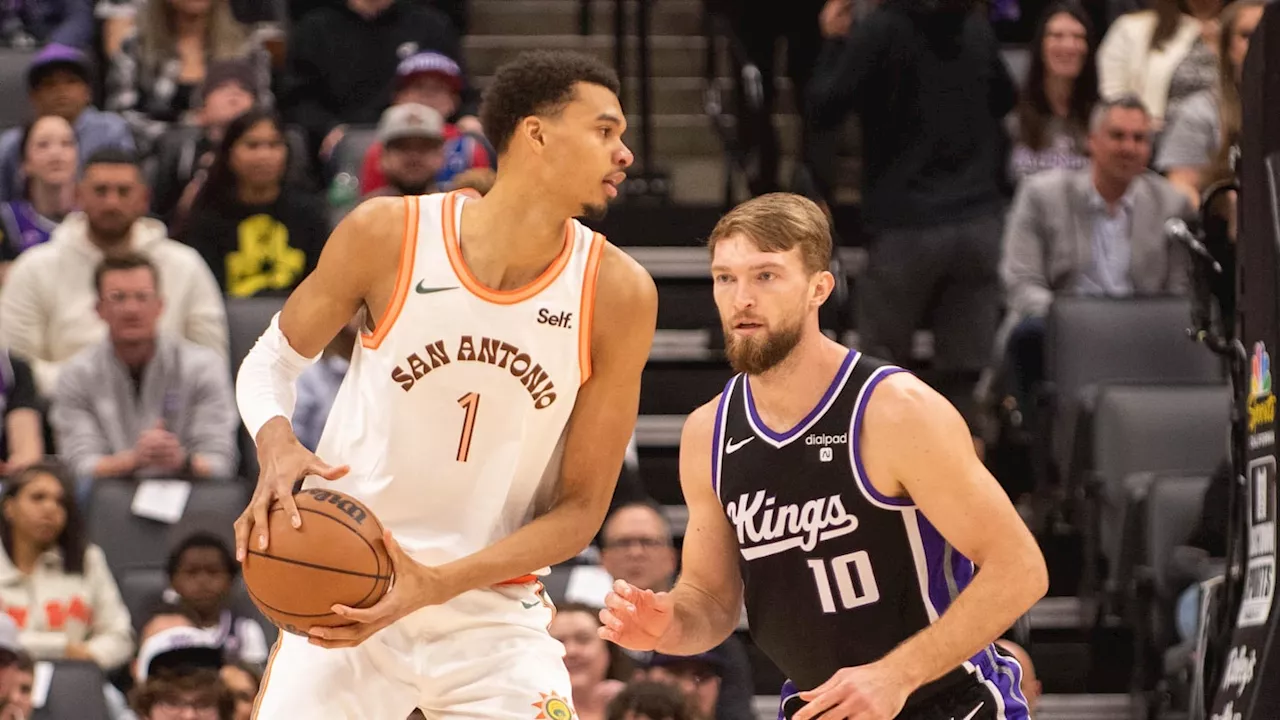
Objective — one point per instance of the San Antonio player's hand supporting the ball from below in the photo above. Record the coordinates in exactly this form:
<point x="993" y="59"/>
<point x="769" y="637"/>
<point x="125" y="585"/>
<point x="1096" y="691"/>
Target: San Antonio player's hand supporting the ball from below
<point x="414" y="586"/>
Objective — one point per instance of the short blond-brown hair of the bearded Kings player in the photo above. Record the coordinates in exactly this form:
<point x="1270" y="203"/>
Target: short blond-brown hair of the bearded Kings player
<point x="779" y="222"/>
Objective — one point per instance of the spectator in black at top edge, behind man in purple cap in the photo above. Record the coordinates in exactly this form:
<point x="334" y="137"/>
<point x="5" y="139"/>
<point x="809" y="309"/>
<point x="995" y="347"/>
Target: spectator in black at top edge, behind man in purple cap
<point x="326" y="92"/>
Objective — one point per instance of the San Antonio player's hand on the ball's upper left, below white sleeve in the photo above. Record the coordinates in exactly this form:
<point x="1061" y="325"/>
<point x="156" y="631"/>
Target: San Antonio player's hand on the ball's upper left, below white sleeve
<point x="284" y="462"/>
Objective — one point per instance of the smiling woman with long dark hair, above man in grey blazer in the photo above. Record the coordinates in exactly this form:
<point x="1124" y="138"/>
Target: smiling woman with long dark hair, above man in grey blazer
<point x="1053" y="115"/>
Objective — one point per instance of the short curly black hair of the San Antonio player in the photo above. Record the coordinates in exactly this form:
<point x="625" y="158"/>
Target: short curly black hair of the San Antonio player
<point x="537" y="83"/>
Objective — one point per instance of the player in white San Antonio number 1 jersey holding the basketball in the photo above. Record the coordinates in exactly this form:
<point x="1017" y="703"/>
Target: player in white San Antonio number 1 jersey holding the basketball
<point x="484" y="417"/>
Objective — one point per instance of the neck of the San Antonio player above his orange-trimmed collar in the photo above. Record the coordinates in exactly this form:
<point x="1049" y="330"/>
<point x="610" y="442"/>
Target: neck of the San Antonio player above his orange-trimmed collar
<point x="510" y="218"/>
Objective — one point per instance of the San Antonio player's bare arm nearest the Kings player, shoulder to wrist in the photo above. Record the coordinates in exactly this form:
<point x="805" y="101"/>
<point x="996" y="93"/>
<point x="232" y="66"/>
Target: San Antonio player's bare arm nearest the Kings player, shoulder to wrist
<point x="598" y="432"/>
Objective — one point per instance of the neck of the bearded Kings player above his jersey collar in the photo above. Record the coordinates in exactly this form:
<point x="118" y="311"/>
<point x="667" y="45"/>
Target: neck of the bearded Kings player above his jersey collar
<point x="789" y="393"/>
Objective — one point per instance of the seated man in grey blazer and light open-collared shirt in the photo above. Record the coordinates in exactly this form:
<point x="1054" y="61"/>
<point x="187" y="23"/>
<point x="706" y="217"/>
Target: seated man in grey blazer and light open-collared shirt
<point x="1095" y="231"/>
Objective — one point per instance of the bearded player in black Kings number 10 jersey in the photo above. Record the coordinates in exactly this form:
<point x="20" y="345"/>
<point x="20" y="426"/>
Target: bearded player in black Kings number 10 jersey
<point x="842" y="498"/>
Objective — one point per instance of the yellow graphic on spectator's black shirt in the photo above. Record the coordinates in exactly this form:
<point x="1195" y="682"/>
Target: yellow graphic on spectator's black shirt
<point x="266" y="261"/>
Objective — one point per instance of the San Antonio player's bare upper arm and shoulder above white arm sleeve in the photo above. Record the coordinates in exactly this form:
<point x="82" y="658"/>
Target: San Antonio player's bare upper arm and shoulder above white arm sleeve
<point x="359" y="266"/>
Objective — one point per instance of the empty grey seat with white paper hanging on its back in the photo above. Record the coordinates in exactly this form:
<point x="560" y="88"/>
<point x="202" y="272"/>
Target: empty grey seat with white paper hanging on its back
<point x="130" y="541"/>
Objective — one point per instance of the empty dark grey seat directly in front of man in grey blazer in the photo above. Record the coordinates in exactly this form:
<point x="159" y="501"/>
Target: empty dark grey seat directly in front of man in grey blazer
<point x="1098" y="340"/>
